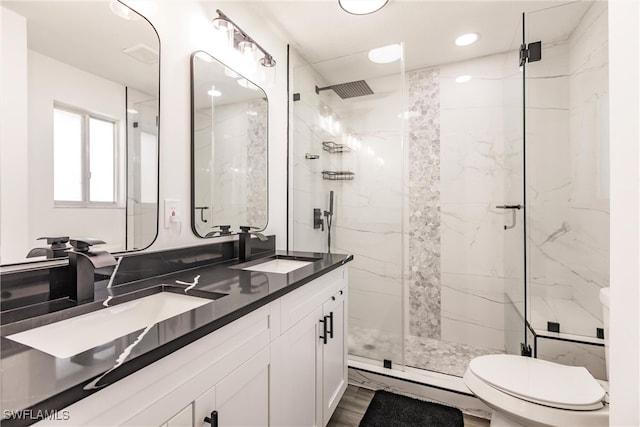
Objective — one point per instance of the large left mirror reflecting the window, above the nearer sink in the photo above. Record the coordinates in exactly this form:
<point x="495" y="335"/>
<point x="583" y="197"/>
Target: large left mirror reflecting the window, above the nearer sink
<point x="79" y="142"/>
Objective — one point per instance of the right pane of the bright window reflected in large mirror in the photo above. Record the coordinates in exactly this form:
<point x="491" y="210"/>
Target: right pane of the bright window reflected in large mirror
<point x="101" y="160"/>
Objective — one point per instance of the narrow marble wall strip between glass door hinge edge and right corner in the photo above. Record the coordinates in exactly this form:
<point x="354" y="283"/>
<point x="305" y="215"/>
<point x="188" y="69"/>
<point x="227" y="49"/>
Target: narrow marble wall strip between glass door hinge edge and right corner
<point x="548" y="177"/>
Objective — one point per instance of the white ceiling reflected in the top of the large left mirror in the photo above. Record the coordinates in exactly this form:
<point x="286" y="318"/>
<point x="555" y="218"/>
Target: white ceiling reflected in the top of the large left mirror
<point x="94" y="43"/>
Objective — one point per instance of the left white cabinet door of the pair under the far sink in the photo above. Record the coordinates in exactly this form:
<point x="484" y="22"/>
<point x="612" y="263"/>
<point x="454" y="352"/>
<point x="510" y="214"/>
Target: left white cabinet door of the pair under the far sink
<point x="295" y="381"/>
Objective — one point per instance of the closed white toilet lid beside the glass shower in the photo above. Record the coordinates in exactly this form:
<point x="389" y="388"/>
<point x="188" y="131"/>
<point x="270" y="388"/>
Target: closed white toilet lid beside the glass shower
<point x="540" y="381"/>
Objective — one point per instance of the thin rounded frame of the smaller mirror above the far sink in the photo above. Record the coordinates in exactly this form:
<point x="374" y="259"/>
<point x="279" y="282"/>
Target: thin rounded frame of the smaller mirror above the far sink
<point x="193" y="145"/>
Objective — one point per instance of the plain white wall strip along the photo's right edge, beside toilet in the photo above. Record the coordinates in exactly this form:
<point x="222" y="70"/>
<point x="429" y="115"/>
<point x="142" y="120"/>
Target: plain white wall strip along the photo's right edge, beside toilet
<point x="624" y="89"/>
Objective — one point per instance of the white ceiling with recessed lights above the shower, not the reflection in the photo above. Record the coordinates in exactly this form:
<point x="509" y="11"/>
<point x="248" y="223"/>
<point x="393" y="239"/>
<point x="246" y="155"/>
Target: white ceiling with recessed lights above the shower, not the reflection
<point x="321" y="31"/>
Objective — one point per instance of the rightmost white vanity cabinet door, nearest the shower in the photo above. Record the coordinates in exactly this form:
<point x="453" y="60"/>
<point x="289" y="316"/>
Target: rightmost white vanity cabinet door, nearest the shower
<point x="334" y="355"/>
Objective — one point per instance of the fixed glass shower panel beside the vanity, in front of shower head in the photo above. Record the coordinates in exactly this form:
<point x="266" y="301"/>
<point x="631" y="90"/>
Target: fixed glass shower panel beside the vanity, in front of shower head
<point x="351" y="148"/>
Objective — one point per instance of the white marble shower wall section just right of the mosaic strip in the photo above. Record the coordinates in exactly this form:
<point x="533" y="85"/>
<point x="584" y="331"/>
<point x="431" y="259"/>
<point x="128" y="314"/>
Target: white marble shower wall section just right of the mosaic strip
<point x="472" y="184"/>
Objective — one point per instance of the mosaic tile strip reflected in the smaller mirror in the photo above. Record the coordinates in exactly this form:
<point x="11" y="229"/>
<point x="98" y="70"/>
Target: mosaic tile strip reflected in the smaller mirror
<point x="257" y="164"/>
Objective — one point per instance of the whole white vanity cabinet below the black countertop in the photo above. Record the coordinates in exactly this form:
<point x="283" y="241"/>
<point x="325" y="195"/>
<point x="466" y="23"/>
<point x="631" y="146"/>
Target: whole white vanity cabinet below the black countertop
<point x="270" y="367"/>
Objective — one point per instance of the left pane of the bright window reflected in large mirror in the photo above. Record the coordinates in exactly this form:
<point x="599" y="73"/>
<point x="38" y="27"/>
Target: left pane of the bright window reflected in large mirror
<point x="67" y="156"/>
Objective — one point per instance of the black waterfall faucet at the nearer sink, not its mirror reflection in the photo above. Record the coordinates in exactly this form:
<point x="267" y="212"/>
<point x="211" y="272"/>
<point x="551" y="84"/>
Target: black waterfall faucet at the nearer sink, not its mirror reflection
<point x="83" y="263"/>
